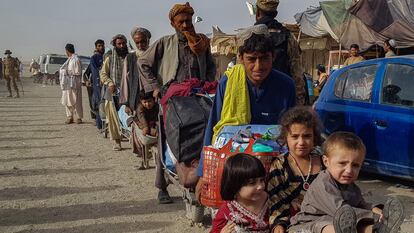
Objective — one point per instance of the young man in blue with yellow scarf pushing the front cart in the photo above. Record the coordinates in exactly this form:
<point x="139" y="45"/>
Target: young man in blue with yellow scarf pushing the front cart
<point x="261" y="94"/>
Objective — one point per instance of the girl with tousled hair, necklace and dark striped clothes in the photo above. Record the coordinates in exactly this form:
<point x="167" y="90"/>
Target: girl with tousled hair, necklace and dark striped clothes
<point x="292" y="173"/>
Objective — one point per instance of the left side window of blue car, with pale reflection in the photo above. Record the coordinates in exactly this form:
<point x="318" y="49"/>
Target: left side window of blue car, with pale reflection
<point x="359" y="82"/>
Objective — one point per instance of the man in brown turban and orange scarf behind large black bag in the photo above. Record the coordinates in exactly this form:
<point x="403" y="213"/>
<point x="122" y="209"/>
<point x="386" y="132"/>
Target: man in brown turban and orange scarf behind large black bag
<point x="175" y="58"/>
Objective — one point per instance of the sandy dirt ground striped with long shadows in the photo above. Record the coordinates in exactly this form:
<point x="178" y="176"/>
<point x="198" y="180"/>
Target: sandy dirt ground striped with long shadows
<point x="58" y="178"/>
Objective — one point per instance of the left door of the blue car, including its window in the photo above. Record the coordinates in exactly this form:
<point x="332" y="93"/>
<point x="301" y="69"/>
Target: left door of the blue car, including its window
<point x="348" y="108"/>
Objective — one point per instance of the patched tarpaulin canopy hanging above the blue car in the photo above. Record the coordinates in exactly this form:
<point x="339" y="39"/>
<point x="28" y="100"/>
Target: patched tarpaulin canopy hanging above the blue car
<point x="364" y="22"/>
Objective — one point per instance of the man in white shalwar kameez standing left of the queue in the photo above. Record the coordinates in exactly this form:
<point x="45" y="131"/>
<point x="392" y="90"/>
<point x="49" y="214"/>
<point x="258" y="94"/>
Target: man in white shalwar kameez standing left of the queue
<point x="71" y="84"/>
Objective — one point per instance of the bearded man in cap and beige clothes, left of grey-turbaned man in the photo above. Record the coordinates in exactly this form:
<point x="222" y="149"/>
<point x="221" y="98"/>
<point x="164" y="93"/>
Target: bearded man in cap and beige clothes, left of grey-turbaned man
<point x="111" y="75"/>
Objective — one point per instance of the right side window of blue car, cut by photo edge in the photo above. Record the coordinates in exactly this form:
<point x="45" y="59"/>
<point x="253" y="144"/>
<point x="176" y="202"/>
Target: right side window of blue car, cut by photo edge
<point x="398" y="85"/>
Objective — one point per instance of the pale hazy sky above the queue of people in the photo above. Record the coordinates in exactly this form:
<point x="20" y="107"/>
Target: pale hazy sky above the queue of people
<point x="32" y="27"/>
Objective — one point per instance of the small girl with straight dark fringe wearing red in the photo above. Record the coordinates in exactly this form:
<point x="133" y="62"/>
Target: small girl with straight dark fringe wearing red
<point x="243" y="189"/>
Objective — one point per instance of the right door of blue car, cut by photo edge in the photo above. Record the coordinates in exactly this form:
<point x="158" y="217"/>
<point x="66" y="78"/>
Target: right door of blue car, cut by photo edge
<point x="393" y="121"/>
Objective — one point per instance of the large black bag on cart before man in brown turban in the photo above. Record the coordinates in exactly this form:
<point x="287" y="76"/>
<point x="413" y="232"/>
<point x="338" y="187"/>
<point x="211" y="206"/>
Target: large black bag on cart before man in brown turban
<point x="186" y="120"/>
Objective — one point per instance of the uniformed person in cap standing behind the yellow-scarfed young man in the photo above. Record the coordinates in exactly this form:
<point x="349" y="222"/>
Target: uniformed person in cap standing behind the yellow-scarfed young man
<point x="287" y="50"/>
